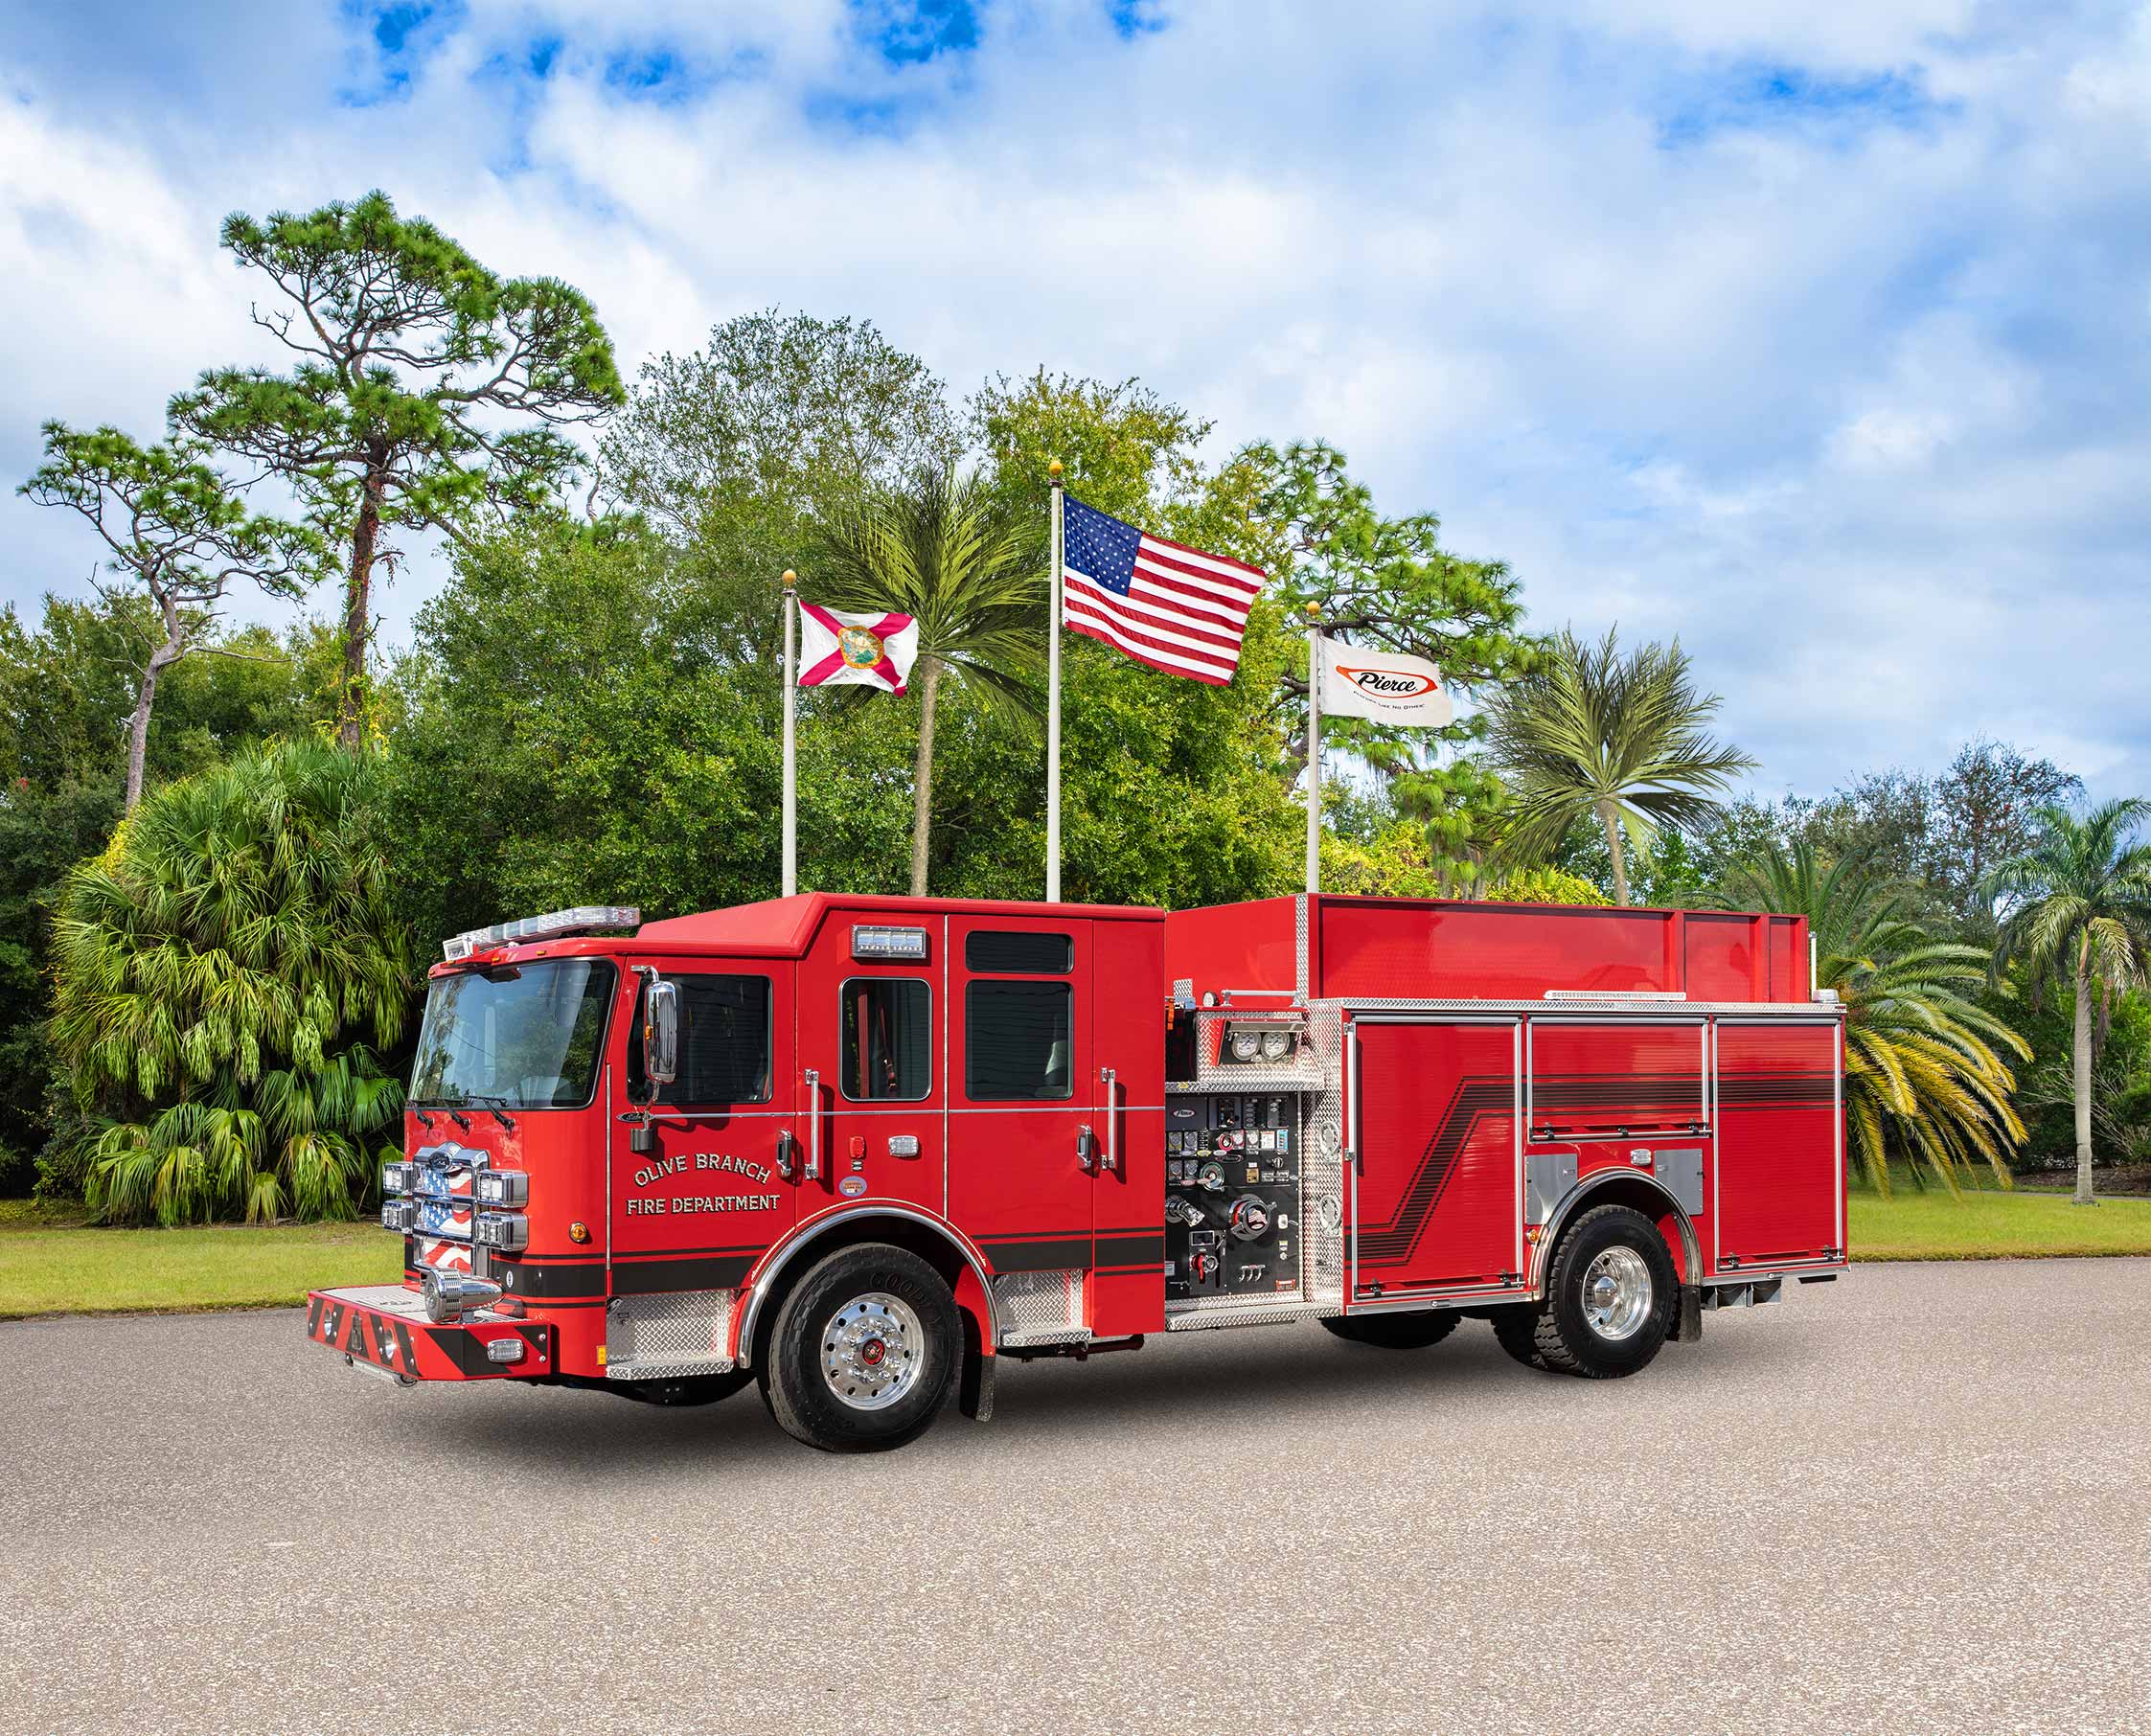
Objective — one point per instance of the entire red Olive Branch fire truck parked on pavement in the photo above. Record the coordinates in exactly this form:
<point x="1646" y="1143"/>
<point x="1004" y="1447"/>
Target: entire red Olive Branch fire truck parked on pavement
<point x="861" y="1150"/>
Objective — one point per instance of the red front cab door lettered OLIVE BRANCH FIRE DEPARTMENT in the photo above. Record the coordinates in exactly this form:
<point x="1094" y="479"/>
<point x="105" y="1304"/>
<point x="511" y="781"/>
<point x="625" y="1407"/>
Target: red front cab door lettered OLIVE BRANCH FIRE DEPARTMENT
<point x="720" y="1178"/>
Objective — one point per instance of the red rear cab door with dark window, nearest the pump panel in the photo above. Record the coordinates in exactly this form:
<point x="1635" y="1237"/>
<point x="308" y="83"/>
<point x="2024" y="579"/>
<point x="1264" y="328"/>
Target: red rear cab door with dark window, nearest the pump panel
<point x="1029" y="1124"/>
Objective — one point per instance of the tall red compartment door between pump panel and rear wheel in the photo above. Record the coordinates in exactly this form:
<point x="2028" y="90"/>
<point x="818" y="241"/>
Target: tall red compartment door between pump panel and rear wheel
<point x="1438" y="1189"/>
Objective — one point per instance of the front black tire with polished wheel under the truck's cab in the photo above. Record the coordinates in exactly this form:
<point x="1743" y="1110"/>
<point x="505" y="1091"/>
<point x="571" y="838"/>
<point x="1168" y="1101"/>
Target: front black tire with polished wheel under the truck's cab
<point x="870" y="1313"/>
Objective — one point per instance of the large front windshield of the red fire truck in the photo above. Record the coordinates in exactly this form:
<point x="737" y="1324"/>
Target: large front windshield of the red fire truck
<point x="519" y="1038"/>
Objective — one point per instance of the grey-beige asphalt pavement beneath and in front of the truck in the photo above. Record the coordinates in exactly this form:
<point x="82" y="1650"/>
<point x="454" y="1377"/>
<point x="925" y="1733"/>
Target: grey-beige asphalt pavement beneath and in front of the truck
<point x="1915" y="1500"/>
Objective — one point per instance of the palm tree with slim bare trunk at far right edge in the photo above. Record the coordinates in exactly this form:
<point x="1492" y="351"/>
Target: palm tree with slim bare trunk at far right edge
<point x="2081" y="911"/>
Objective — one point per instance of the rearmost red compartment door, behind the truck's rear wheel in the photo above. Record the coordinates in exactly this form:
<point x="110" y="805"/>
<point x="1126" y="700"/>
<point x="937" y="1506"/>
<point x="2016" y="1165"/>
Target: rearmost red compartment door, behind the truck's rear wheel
<point x="1780" y="1184"/>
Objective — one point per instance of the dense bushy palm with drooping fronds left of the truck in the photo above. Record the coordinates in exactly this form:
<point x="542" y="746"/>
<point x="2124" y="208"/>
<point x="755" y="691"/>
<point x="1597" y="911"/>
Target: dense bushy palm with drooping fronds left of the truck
<point x="214" y="973"/>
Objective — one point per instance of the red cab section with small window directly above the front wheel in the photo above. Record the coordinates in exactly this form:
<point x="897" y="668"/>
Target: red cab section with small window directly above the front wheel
<point x="870" y="1066"/>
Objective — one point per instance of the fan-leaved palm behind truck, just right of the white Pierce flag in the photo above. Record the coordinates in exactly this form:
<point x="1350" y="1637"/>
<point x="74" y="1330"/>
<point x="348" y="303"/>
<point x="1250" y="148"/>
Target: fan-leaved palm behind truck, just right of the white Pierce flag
<point x="1608" y="735"/>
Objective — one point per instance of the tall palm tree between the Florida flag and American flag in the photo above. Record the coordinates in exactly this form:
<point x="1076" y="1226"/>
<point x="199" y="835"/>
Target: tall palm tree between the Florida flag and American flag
<point x="948" y="554"/>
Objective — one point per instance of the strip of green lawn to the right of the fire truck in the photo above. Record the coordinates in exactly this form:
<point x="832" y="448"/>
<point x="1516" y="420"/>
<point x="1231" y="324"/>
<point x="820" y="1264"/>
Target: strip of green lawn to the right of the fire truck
<point x="1989" y="1225"/>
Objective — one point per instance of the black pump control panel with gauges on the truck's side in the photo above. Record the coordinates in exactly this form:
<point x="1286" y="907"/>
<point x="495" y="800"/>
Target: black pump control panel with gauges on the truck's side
<point x="1231" y="1195"/>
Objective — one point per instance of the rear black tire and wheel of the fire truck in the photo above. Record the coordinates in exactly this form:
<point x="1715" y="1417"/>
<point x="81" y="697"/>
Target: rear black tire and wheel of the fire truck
<point x="1567" y="1337"/>
